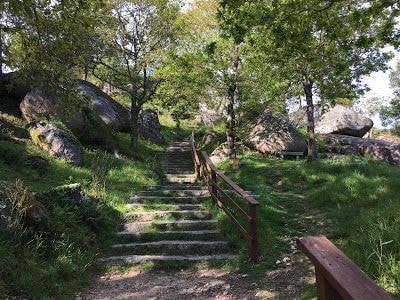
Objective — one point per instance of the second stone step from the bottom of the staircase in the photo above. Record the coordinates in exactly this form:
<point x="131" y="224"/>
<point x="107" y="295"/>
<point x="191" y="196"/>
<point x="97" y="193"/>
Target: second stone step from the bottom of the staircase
<point x="172" y="247"/>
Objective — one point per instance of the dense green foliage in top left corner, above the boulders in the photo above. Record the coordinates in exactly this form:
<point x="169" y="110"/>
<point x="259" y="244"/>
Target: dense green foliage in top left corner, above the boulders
<point x="51" y="42"/>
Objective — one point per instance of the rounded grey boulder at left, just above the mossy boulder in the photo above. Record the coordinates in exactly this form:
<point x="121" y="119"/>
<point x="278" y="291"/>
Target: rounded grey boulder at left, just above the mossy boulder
<point x="39" y="103"/>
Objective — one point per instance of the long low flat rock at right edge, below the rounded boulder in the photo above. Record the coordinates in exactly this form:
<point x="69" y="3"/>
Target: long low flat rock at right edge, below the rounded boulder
<point x="378" y="149"/>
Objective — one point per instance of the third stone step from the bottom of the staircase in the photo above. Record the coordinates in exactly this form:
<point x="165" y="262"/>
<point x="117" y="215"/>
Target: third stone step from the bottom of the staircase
<point x="202" y="235"/>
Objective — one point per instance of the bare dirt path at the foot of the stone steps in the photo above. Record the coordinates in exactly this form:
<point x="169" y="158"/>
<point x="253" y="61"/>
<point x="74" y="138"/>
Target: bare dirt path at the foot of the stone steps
<point x="285" y="282"/>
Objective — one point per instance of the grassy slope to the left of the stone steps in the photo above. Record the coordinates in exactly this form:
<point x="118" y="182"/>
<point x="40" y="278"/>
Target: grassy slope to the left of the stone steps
<point x="28" y="264"/>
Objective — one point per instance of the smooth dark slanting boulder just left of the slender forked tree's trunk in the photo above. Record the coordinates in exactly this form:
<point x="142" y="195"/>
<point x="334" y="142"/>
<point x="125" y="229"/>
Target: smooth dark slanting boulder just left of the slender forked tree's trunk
<point x="110" y="111"/>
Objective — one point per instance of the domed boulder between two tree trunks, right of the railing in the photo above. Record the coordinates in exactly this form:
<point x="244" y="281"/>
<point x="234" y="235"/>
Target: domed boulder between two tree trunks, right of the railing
<point x="270" y="134"/>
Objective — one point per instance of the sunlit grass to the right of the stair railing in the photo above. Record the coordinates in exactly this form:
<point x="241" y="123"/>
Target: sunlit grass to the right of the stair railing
<point x="353" y="201"/>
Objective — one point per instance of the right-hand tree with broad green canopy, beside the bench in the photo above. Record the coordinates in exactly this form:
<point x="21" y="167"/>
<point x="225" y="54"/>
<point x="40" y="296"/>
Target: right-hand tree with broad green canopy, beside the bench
<point x="323" y="46"/>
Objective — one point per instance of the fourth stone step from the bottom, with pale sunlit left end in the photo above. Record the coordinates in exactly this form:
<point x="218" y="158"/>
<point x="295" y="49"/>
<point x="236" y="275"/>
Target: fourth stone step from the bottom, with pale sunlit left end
<point x="170" y="225"/>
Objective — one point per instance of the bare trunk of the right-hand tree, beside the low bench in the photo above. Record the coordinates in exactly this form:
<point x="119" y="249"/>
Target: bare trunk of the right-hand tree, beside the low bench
<point x="312" y="146"/>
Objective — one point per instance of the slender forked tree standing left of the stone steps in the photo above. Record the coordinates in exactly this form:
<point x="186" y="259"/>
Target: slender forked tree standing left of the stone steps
<point x="143" y="32"/>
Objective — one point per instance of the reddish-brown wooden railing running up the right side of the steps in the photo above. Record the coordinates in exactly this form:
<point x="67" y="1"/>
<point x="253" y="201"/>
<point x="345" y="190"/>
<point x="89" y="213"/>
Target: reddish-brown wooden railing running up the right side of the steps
<point x="224" y="198"/>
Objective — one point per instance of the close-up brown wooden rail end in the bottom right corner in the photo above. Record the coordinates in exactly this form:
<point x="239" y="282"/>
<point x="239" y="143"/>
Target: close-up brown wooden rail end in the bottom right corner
<point x="337" y="277"/>
